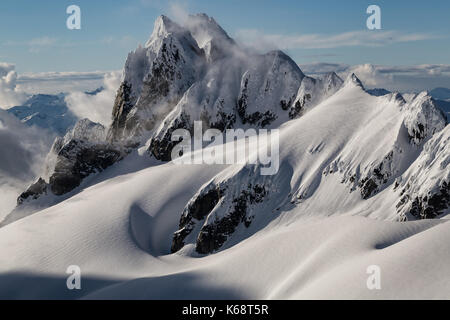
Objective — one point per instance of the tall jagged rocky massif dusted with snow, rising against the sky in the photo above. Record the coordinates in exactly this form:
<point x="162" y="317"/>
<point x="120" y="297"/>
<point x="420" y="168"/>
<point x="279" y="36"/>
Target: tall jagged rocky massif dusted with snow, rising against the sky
<point x="196" y="72"/>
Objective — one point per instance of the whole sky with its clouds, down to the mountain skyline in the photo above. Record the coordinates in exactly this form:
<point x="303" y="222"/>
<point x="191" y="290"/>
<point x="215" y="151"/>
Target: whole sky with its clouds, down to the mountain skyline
<point x="410" y="52"/>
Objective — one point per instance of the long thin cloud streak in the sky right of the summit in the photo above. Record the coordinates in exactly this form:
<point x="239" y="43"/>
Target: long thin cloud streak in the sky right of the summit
<point x="261" y="41"/>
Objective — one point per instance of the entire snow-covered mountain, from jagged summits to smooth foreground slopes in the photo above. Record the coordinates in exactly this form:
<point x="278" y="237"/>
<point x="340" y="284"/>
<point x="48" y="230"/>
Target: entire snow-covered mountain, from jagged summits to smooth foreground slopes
<point x="118" y="206"/>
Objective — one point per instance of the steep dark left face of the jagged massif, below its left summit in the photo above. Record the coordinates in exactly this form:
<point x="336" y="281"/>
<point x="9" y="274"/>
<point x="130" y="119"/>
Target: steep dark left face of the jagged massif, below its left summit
<point x="155" y="78"/>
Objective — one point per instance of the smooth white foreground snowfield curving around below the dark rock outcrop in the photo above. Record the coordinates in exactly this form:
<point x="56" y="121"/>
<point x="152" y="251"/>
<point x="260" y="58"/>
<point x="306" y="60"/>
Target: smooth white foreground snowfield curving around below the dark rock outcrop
<point x="321" y="257"/>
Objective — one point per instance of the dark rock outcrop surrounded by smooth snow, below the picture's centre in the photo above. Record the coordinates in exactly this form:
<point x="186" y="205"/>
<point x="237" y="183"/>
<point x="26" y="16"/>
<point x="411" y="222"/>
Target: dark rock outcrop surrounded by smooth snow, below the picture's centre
<point x="228" y="204"/>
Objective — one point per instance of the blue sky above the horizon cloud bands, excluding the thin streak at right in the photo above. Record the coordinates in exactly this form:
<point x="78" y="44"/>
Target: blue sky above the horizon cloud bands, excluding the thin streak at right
<point x="35" y="38"/>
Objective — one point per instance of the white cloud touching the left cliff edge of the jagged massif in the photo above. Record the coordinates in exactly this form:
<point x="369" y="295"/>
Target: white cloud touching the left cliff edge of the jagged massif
<point x="97" y="107"/>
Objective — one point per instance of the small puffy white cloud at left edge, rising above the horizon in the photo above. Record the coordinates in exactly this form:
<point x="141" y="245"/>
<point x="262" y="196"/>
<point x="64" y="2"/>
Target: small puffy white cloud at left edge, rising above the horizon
<point x="10" y="95"/>
